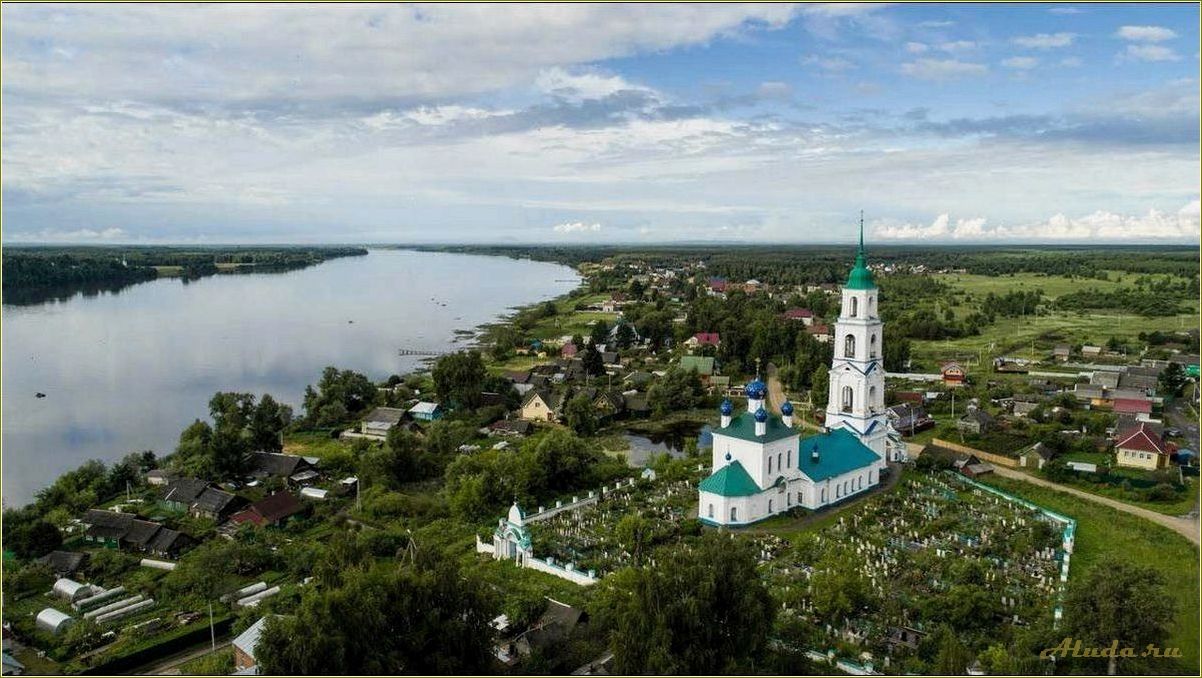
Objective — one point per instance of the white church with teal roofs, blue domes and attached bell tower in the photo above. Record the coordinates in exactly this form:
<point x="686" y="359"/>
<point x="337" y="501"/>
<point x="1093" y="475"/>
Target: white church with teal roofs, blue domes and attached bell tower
<point x="763" y="465"/>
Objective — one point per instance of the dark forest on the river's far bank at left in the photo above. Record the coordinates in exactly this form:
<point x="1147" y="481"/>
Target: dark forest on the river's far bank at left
<point x="34" y="275"/>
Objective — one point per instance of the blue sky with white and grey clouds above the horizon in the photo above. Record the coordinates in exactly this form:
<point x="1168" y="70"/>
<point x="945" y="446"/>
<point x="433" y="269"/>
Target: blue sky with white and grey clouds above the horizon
<point x="1056" y="123"/>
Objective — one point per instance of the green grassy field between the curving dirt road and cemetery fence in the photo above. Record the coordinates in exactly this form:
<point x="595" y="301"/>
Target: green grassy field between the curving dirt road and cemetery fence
<point x="1104" y="532"/>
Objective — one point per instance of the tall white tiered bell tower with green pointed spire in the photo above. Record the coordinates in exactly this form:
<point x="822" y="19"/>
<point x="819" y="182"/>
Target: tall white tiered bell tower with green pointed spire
<point x="858" y="372"/>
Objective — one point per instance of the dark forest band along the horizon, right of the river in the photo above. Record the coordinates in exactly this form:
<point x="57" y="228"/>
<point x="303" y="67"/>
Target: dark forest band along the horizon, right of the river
<point x="793" y="265"/>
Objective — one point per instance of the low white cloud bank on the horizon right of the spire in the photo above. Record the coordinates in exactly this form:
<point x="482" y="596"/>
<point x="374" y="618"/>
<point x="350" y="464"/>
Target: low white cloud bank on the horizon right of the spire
<point x="1102" y="225"/>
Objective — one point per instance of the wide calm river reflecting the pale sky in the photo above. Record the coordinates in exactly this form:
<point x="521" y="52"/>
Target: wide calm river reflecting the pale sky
<point x="129" y="371"/>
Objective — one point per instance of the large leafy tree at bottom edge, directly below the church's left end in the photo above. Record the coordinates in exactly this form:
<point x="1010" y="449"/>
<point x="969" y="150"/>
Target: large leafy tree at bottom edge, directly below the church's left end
<point x="701" y="610"/>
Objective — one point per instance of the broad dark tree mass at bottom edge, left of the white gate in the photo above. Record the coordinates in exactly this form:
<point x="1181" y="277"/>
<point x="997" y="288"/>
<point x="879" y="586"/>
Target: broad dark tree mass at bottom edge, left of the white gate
<point x="424" y="617"/>
